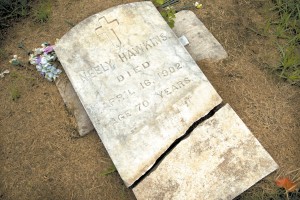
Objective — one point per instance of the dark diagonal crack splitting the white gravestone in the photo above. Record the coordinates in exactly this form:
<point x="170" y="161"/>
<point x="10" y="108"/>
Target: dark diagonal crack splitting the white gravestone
<point x="177" y="141"/>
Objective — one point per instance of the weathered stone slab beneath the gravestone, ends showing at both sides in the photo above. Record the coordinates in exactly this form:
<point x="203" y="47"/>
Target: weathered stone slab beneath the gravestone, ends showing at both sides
<point x="202" y="45"/>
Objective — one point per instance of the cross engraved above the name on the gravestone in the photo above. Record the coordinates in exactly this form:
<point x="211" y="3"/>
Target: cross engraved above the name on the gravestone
<point x="106" y="29"/>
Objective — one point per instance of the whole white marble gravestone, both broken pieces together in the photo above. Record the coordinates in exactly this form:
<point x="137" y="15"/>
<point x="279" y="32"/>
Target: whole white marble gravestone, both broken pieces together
<point x="142" y="91"/>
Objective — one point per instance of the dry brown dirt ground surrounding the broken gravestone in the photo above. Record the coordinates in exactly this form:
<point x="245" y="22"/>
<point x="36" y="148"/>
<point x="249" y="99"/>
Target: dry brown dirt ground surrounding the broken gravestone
<point x="40" y="157"/>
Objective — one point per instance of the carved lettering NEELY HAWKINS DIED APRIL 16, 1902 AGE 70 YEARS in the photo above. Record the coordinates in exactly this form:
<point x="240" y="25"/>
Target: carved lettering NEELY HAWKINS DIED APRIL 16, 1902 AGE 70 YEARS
<point x="149" y="84"/>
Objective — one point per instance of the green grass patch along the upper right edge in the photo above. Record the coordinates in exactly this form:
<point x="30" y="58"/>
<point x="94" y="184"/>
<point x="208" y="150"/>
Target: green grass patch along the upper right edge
<point x="286" y="26"/>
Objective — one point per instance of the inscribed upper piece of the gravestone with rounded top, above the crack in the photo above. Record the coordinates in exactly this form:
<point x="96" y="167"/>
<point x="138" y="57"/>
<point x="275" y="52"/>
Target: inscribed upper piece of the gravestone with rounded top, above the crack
<point x="140" y="87"/>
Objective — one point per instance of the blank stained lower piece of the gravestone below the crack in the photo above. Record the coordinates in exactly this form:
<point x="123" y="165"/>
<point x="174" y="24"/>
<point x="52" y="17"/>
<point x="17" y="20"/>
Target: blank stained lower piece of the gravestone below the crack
<point x="220" y="159"/>
